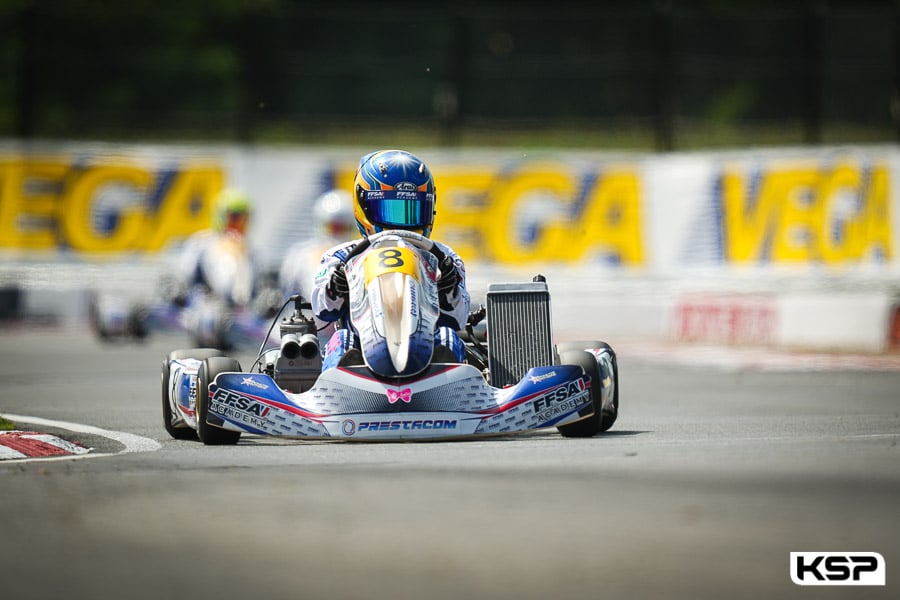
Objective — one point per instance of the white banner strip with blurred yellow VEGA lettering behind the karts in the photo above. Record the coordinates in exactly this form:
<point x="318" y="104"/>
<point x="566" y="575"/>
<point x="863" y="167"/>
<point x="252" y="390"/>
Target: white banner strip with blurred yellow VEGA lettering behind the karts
<point x="645" y="212"/>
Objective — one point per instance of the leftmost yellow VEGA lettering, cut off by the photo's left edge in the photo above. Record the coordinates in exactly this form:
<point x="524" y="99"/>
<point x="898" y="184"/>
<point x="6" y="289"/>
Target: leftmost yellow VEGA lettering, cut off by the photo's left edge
<point x="46" y="204"/>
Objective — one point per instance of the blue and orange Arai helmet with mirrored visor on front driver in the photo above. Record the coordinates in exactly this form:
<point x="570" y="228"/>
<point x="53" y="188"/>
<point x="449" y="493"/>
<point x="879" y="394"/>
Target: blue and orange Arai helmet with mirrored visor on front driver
<point x="393" y="190"/>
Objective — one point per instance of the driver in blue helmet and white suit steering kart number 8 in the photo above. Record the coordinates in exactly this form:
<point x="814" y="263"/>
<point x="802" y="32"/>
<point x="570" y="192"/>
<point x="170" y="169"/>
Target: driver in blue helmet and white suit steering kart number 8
<point x="379" y="207"/>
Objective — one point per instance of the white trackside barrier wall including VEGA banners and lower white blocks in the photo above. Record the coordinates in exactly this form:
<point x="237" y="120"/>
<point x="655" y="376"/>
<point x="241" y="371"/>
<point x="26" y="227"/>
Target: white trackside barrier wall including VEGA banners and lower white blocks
<point x="792" y="247"/>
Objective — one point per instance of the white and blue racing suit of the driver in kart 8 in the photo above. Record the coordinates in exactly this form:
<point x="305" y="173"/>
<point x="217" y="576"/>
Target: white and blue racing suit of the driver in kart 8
<point x="329" y="308"/>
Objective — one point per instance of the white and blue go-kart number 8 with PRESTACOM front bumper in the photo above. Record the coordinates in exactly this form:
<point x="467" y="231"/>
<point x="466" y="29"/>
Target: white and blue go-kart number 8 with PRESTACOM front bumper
<point x="399" y="385"/>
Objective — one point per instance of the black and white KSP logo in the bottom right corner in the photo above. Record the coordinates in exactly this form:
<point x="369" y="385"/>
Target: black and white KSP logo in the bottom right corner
<point x="837" y="568"/>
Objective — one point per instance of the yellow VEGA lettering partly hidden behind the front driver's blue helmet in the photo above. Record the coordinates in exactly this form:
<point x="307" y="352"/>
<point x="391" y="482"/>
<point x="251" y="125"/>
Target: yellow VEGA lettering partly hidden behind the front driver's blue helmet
<point x="527" y="215"/>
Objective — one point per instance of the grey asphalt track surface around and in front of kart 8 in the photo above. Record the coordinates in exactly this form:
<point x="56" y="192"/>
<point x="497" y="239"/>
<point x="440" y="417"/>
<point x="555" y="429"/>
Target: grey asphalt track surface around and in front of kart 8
<point x="707" y="482"/>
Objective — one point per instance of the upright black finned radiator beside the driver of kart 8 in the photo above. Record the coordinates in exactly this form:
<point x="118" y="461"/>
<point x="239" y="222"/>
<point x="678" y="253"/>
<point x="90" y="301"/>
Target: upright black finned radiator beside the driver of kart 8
<point x="519" y="332"/>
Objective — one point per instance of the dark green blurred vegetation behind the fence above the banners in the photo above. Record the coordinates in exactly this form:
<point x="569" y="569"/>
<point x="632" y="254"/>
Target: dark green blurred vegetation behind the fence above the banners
<point x="663" y="74"/>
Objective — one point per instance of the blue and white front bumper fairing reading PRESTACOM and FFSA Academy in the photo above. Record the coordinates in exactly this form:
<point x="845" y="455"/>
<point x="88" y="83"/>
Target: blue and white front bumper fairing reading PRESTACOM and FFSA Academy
<point x="448" y="401"/>
